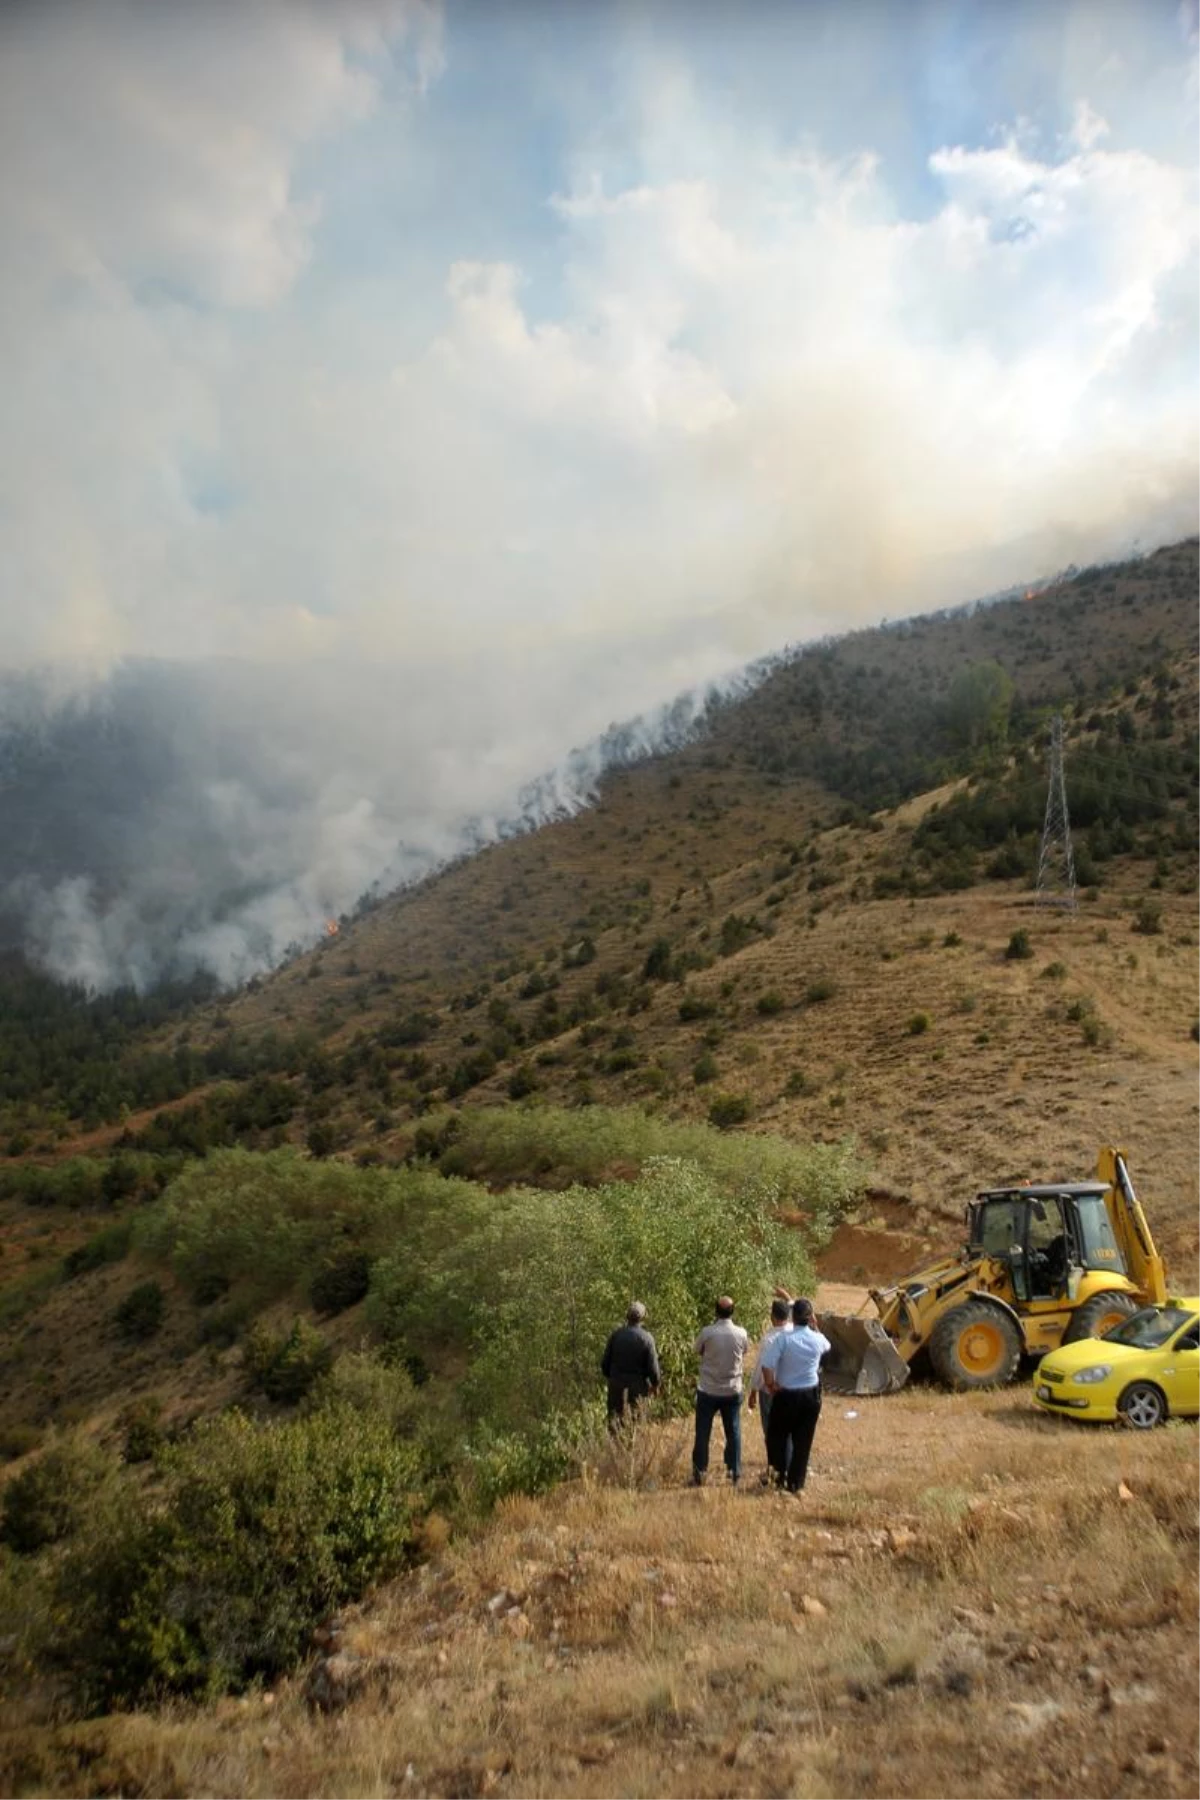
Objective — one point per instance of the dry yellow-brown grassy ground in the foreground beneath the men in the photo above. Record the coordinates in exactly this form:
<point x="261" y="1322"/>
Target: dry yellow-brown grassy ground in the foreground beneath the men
<point x="962" y="1588"/>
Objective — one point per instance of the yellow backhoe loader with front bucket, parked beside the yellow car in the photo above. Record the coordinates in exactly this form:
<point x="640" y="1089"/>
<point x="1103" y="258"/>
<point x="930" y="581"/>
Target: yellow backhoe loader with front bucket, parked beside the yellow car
<point x="1043" y="1264"/>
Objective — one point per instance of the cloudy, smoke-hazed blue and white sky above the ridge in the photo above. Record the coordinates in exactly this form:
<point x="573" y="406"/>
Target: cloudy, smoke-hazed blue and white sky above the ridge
<point x="483" y="373"/>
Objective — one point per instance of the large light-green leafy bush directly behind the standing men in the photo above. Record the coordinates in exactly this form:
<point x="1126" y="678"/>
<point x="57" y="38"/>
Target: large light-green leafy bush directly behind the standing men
<point x="559" y="1272"/>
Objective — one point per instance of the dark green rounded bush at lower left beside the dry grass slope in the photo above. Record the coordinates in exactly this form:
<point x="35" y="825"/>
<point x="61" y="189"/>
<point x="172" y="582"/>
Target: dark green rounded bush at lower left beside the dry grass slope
<point x="260" y="1531"/>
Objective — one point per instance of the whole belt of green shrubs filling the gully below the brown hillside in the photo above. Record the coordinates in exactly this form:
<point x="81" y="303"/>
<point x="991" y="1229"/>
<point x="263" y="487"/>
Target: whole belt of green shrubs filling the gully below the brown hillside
<point x="197" y="1560"/>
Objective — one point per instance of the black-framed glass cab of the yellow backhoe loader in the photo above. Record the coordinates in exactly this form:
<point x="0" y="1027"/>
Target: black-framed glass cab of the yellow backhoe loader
<point x="1046" y="1236"/>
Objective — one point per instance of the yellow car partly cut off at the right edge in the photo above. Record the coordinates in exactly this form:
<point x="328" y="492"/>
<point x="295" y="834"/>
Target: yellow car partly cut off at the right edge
<point x="1142" y="1372"/>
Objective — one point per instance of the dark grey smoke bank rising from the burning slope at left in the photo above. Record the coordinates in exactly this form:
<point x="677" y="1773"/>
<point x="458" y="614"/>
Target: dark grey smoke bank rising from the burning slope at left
<point x="181" y="818"/>
